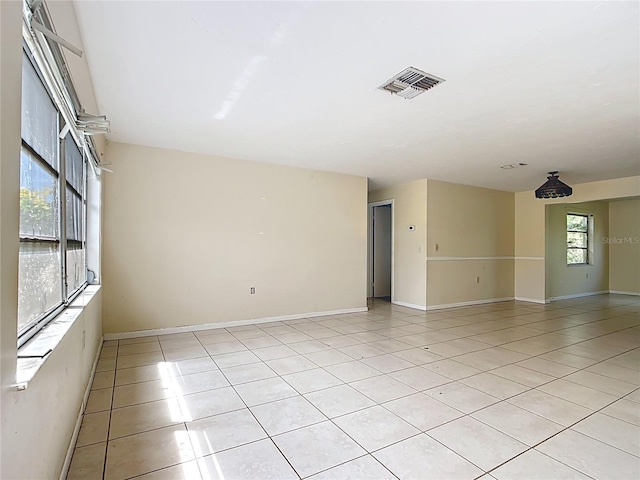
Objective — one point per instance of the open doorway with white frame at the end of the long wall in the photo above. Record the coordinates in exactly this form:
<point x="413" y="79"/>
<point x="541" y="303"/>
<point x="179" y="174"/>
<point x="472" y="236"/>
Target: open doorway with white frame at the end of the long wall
<point x="380" y="271"/>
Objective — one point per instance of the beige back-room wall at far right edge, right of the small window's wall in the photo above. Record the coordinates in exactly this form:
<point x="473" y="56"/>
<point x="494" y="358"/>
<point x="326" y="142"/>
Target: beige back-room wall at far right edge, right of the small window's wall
<point x="624" y="247"/>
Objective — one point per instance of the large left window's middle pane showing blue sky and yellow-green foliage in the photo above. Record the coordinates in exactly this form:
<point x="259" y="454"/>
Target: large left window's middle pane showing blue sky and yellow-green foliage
<point x="38" y="199"/>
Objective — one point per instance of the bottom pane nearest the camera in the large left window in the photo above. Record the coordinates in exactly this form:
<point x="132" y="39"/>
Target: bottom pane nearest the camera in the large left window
<point x="39" y="286"/>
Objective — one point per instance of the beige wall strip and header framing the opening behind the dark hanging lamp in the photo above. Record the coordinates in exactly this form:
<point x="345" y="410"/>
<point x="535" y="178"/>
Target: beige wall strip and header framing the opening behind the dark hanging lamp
<point x="530" y="227"/>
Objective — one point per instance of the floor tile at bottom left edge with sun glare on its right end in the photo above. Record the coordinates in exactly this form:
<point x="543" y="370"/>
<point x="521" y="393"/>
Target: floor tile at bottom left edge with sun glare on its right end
<point x="145" y="452"/>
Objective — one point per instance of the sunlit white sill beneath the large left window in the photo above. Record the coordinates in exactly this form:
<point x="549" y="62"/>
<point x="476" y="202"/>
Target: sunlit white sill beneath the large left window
<point x="33" y="354"/>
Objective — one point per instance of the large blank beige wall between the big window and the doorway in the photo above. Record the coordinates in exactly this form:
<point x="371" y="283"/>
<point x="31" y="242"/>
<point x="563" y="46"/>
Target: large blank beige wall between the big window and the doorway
<point x="187" y="235"/>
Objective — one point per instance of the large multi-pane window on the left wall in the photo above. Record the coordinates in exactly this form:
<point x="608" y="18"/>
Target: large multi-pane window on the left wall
<point x="53" y="174"/>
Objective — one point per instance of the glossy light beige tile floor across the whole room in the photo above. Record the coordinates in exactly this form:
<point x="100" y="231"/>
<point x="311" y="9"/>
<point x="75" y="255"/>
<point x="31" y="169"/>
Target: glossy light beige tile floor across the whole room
<point x="507" y="391"/>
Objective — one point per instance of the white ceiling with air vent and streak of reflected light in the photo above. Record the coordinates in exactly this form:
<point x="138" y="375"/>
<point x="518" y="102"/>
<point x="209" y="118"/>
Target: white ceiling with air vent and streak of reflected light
<point x="551" y="84"/>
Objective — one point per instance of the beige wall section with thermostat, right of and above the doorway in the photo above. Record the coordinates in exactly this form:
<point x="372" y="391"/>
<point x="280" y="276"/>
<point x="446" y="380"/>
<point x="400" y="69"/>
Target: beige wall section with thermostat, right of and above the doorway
<point x="409" y="263"/>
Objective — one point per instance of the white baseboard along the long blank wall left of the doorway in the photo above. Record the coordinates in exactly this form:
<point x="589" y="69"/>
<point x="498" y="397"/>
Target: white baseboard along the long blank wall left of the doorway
<point x="236" y="323"/>
